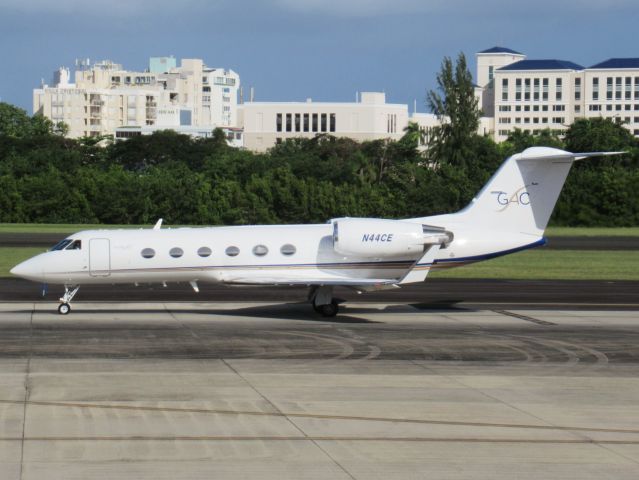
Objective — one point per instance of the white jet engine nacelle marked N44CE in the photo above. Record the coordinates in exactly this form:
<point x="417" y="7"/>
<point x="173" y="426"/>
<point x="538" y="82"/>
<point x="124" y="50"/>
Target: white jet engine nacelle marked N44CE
<point x="369" y="237"/>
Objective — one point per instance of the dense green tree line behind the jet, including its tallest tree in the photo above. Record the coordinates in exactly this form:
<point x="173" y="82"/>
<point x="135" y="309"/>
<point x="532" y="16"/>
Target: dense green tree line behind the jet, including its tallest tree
<point x="47" y="178"/>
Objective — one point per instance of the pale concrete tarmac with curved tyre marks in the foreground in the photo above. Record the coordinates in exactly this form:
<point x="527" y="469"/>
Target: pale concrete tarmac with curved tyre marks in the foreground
<point x="270" y="390"/>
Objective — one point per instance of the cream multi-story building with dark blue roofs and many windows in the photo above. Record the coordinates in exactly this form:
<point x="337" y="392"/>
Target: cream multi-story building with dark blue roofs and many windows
<point x="534" y="95"/>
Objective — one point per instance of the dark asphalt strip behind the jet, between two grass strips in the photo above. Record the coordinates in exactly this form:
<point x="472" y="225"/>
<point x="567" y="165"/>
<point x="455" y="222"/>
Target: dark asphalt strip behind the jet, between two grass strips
<point x="47" y="240"/>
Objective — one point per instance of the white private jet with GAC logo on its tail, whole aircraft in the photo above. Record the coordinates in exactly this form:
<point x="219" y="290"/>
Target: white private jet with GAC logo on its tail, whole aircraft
<point x="508" y="215"/>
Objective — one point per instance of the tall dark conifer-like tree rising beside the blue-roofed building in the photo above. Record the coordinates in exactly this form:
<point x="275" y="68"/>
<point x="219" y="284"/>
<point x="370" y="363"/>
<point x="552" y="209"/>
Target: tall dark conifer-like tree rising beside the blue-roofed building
<point x="456" y="106"/>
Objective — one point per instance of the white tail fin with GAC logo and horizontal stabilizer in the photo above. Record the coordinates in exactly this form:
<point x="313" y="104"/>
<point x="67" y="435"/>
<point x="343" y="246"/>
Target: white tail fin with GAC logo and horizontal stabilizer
<point x="522" y="194"/>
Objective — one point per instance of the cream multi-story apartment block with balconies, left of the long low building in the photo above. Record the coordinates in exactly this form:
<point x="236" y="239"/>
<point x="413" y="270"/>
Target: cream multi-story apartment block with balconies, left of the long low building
<point x="106" y="97"/>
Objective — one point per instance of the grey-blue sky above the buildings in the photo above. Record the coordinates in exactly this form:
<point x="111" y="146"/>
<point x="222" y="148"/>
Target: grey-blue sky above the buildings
<point x="291" y="50"/>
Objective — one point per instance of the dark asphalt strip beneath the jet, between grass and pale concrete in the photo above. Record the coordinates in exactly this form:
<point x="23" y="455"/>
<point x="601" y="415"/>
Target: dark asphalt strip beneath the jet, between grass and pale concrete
<point x="432" y="294"/>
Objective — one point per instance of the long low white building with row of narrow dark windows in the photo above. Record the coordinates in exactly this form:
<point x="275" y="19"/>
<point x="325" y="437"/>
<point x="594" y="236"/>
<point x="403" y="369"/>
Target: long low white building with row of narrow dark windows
<point x="268" y="123"/>
